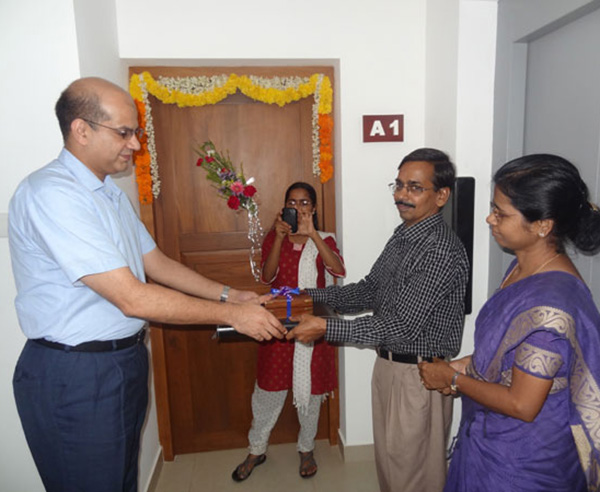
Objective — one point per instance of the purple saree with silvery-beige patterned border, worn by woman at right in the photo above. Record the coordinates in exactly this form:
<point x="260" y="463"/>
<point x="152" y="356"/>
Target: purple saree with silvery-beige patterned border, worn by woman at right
<point x="546" y="325"/>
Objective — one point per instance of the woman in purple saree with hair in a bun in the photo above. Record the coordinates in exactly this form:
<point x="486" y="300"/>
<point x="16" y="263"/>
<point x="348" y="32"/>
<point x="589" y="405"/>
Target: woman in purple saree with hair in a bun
<point x="531" y="389"/>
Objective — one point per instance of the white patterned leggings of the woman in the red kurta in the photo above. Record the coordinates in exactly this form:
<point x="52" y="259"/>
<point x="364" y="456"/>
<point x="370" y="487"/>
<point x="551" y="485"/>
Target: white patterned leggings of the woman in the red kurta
<point x="266" y="407"/>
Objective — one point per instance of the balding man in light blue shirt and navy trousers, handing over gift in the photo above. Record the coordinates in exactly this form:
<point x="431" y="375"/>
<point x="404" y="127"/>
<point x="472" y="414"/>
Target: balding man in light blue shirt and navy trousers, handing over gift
<point x="80" y="257"/>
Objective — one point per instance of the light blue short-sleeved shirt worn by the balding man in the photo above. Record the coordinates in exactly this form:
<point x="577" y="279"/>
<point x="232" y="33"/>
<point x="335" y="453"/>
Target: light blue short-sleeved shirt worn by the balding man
<point x="64" y="223"/>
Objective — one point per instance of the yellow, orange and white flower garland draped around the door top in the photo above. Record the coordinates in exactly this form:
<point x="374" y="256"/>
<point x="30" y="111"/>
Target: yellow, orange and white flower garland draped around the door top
<point x="200" y="91"/>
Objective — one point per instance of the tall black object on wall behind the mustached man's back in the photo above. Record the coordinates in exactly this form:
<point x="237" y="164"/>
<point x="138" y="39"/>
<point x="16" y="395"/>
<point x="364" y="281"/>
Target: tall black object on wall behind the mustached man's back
<point x="459" y="214"/>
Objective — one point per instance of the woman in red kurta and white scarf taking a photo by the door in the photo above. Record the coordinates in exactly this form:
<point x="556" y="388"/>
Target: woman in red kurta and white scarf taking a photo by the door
<point x="306" y="259"/>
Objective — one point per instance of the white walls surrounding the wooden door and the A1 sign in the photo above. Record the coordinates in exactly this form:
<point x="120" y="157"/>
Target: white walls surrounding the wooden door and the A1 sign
<point x="391" y="56"/>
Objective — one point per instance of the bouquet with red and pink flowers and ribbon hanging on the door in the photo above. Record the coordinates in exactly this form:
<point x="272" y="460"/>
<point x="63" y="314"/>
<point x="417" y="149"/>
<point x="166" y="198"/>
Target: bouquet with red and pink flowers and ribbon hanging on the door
<point x="237" y="190"/>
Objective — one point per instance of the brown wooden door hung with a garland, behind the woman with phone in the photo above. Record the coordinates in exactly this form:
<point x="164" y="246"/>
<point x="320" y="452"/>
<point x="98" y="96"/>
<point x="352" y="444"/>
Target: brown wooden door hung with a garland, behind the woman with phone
<point x="203" y="387"/>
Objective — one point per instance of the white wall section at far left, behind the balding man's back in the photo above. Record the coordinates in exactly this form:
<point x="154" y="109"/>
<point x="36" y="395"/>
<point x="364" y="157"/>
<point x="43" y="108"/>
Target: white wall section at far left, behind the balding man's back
<point x="38" y="58"/>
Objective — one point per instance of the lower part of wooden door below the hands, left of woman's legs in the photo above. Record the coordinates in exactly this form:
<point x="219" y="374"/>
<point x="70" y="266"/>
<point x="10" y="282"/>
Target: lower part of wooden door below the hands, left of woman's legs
<point x="213" y="413"/>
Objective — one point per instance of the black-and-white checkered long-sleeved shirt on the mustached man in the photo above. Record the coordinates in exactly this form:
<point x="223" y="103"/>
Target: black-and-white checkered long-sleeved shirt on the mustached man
<point x="416" y="291"/>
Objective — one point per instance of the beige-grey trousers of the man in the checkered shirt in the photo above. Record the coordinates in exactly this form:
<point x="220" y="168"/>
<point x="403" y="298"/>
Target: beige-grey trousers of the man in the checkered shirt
<point x="410" y="429"/>
